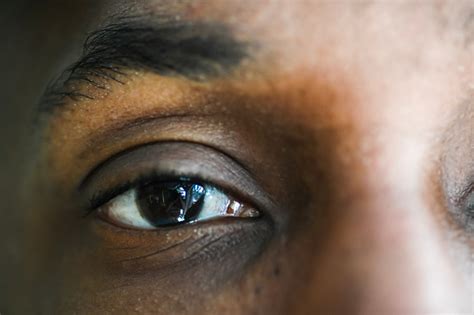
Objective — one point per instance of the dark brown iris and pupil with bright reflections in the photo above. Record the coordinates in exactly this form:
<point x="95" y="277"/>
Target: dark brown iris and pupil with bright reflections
<point x="170" y="203"/>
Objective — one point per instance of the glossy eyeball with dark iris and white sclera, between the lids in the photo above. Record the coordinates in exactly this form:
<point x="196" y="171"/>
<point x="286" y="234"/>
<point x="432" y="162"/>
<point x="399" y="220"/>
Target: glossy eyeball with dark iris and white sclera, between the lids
<point x="170" y="203"/>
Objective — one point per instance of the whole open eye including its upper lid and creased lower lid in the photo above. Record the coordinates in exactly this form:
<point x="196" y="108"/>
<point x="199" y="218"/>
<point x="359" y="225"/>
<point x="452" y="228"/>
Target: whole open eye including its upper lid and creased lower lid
<point x="189" y="197"/>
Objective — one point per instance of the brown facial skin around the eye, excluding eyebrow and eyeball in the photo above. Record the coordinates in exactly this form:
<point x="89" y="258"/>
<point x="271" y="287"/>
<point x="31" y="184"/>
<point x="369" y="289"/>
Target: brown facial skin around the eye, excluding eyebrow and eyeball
<point x="355" y="120"/>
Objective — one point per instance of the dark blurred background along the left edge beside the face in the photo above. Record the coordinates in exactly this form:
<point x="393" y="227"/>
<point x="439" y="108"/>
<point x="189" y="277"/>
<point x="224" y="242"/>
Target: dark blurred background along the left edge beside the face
<point x="38" y="39"/>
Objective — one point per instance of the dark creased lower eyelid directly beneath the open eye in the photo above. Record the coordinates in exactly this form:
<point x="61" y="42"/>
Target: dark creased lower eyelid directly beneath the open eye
<point x="164" y="252"/>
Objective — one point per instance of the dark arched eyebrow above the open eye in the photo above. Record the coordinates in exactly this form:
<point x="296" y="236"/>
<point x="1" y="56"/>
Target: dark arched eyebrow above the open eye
<point x="164" y="45"/>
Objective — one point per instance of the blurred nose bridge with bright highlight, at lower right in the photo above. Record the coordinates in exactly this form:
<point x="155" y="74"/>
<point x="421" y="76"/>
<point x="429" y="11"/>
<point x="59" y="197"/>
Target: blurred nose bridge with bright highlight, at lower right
<point x="383" y="252"/>
